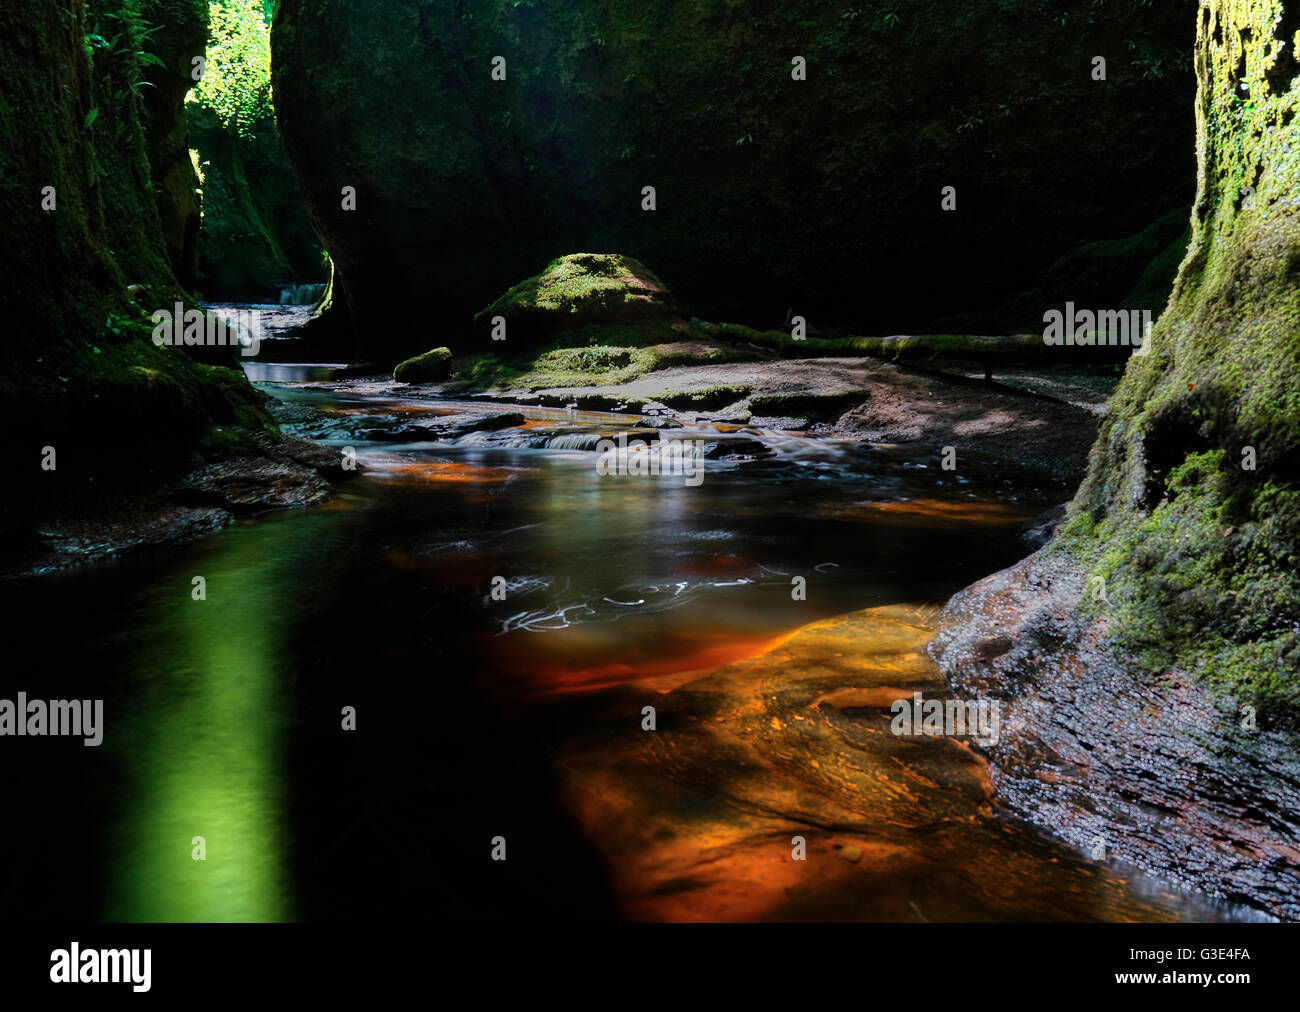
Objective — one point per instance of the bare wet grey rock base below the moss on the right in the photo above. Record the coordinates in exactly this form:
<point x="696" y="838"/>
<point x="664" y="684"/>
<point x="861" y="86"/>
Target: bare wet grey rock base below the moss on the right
<point x="1156" y="771"/>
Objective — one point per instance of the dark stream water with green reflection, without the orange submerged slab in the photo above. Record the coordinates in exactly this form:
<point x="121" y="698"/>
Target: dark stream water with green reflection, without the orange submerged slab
<point x="224" y="716"/>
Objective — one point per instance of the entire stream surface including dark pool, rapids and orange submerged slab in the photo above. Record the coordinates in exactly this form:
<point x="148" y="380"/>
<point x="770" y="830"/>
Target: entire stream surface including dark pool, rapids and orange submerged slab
<point x="773" y="708"/>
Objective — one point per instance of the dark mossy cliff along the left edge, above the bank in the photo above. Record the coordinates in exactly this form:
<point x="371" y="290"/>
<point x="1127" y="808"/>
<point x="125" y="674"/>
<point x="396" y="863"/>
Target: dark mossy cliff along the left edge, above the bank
<point x="81" y="217"/>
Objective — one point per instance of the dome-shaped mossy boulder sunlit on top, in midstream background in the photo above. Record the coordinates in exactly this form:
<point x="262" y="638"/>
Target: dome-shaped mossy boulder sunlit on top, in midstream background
<point x="579" y="291"/>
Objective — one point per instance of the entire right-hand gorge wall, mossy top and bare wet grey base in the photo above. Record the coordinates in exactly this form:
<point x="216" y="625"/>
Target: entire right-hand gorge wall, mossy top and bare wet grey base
<point x="1150" y="655"/>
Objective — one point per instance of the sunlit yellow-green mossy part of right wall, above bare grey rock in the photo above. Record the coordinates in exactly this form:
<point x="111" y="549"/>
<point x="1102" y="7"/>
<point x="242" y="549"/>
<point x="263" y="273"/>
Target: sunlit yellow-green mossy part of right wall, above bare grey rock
<point x="1191" y="509"/>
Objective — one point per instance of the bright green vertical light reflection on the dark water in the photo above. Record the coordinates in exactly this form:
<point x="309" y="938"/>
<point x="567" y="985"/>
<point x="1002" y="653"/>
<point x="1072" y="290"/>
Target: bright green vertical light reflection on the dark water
<point x="206" y="754"/>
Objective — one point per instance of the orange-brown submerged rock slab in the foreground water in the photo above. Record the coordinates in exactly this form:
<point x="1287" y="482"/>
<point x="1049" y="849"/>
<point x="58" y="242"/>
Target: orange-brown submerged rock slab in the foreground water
<point x="697" y="818"/>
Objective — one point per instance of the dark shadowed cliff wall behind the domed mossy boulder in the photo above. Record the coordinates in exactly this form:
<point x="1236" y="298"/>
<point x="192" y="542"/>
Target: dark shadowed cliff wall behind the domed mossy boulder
<point x="772" y="192"/>
